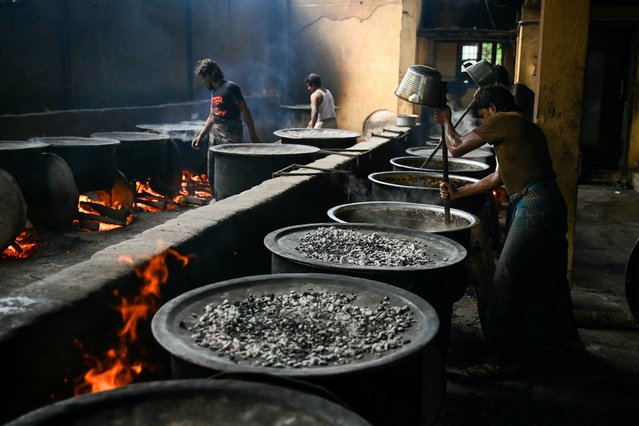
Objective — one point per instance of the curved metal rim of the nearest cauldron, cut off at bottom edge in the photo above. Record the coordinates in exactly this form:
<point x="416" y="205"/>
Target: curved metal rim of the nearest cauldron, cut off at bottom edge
<point x="132" y="396"/>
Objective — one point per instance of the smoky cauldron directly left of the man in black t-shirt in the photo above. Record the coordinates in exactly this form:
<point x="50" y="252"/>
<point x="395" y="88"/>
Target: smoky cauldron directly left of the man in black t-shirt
<point x="183" y="134"/>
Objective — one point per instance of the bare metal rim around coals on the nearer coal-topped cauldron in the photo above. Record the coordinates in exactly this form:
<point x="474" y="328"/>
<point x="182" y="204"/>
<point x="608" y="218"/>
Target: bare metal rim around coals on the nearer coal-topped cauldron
<point x="169" y="330"/>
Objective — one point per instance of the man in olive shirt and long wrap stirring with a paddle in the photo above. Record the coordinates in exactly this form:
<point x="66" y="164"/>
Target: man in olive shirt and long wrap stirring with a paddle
<point x="528" y="305"/>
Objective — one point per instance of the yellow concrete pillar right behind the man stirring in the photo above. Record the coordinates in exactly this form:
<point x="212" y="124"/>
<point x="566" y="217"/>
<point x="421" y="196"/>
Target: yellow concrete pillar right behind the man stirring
<point x="563" y="38"/>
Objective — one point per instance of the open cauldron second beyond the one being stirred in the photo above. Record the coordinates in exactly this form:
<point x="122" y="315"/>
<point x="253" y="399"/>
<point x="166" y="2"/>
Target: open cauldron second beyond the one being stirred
<point x="457" y="166"/>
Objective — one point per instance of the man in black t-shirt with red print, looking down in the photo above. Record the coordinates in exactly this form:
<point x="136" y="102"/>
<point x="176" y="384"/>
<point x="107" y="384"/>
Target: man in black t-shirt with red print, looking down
<point x="227" y="106"/>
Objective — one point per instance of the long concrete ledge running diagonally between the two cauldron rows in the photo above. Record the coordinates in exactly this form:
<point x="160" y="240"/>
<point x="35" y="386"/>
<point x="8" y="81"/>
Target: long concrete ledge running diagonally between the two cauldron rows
<point x="43" y="322"/>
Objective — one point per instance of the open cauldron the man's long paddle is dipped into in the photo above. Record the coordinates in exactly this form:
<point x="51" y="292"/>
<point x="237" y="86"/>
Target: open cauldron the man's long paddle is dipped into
<point x="421" y="217"/>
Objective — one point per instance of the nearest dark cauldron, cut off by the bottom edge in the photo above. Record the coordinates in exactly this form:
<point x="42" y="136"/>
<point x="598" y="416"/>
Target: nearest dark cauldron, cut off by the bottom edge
<point x="195" y="402"/>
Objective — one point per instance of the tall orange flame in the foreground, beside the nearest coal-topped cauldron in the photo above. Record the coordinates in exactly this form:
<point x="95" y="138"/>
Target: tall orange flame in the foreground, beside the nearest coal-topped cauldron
<point x="117" y="368"/>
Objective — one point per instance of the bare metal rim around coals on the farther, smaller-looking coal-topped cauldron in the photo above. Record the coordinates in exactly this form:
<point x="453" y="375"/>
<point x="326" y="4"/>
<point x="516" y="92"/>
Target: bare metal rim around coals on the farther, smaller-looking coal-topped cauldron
<point x="283" y="242"/>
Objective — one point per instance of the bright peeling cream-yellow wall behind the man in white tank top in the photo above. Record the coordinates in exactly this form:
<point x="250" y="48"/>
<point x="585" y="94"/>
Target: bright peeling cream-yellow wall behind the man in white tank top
<point x="355" y="47"/>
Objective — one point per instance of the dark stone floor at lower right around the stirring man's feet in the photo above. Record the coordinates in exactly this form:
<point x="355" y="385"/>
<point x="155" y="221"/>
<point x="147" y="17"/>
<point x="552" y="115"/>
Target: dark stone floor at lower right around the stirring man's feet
<point x="597" y="387"/>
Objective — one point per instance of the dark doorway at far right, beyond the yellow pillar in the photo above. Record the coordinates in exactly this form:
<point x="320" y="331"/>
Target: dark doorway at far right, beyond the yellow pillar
<point x="604" y="128"/>
